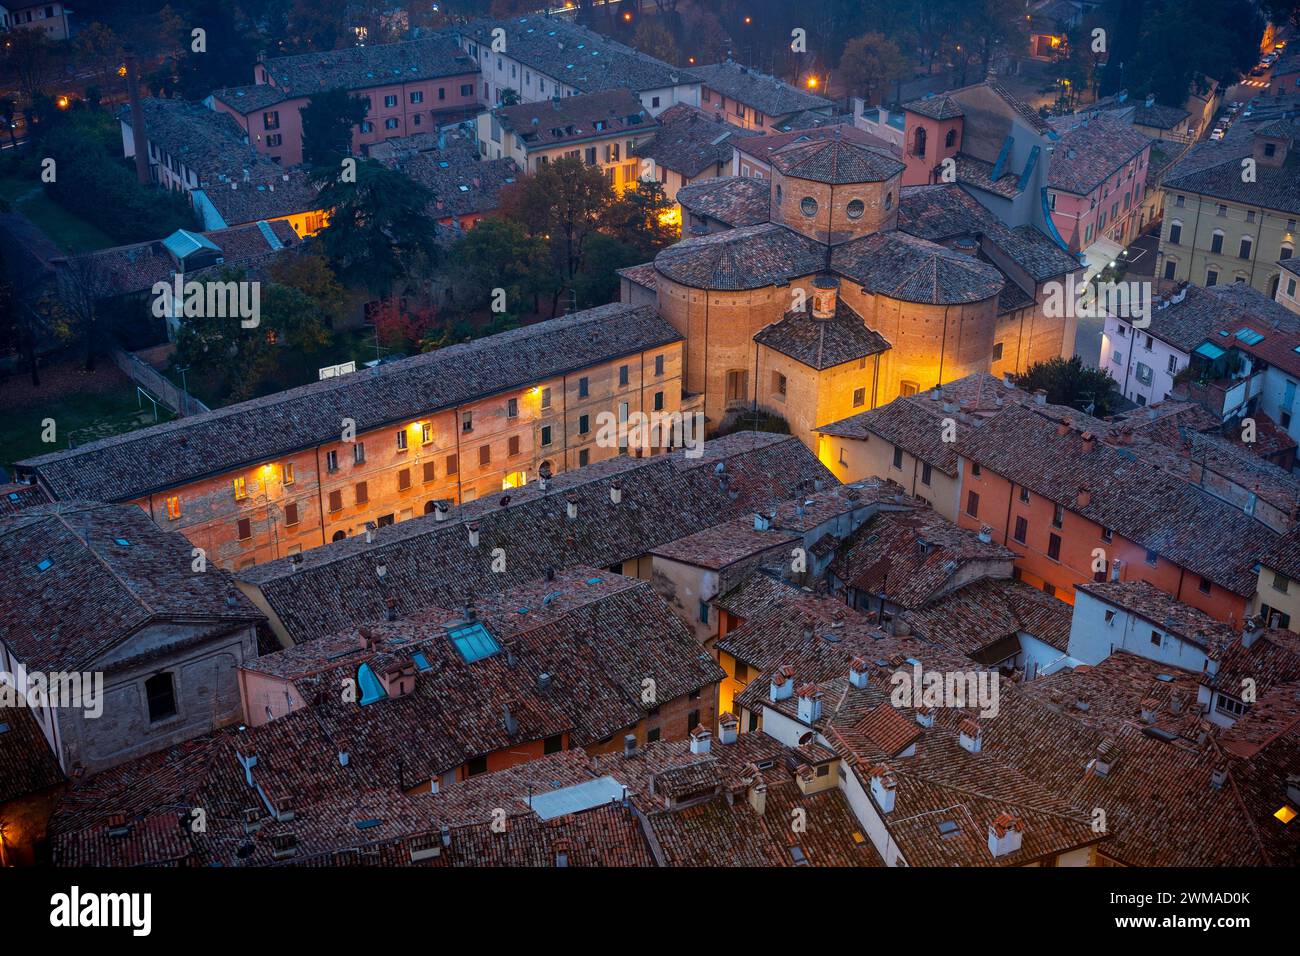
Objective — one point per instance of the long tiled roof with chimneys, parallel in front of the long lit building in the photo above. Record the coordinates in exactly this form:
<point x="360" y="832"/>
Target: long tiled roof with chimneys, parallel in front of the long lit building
<point x="431" y="563"/>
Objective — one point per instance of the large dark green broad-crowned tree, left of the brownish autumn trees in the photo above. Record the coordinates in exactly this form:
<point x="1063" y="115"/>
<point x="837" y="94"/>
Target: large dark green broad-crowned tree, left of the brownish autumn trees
<point x="379" y="235"/>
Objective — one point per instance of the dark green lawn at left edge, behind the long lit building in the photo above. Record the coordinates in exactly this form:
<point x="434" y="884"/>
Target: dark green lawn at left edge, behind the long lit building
<point x="79" y="419"/>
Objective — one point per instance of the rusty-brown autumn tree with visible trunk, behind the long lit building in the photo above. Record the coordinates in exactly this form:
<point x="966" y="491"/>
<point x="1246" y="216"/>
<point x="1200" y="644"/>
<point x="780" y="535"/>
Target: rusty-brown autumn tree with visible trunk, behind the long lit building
<point x="565" y="202"/>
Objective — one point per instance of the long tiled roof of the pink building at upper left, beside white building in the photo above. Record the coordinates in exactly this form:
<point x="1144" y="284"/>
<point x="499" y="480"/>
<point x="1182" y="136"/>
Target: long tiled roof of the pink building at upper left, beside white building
<point x="361" y="68"/>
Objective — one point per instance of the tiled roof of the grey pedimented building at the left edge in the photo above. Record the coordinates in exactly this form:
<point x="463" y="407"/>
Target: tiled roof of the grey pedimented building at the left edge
<point x="75" y="591"/>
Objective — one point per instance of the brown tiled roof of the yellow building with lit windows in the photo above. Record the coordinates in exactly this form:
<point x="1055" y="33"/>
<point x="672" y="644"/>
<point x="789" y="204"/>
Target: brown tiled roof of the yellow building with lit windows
<point x="577" y="119"/>
